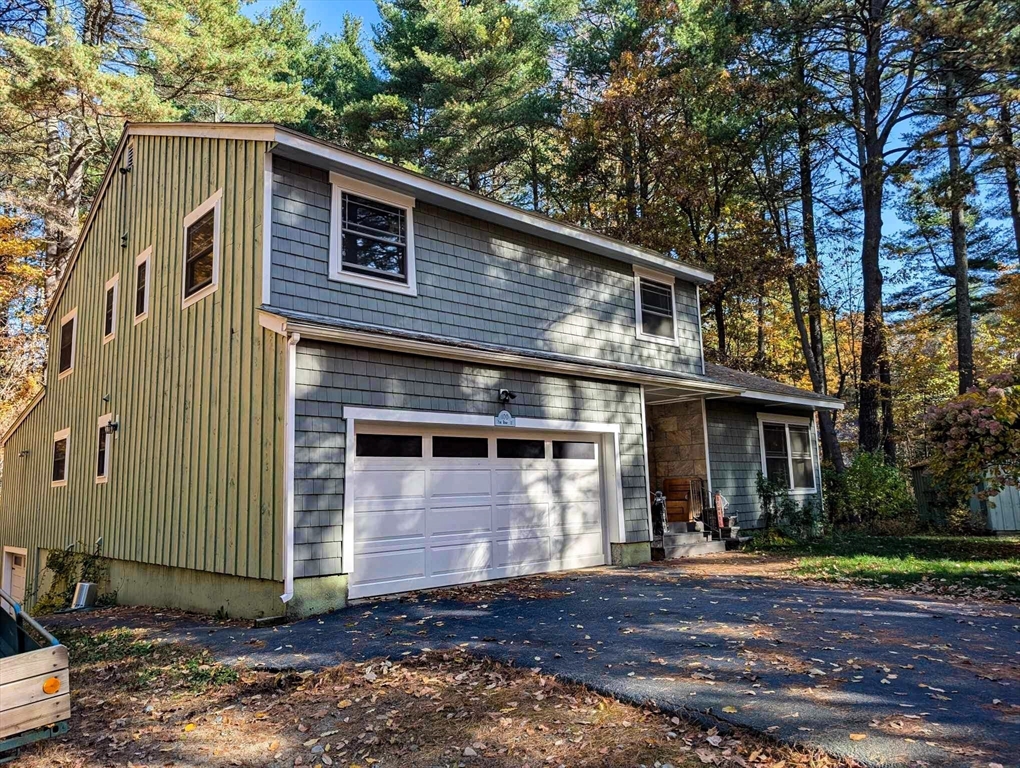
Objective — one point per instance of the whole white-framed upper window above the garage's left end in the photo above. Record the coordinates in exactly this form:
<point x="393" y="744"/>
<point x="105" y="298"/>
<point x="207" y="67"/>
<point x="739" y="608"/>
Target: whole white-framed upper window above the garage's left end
<point x="372" y="241"/>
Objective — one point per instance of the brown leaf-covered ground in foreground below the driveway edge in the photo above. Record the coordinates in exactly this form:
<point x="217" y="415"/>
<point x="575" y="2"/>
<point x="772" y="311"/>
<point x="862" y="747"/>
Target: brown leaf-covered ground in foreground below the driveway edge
<point x="138" y="703"/>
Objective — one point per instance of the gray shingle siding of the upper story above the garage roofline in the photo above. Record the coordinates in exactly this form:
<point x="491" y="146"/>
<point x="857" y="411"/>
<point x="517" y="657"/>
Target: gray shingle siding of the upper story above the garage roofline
<point x="477" y="282"/>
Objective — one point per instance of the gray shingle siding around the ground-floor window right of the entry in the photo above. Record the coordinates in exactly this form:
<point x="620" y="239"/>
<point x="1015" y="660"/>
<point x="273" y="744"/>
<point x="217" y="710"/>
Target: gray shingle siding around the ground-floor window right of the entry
<point x="735" y="456"/>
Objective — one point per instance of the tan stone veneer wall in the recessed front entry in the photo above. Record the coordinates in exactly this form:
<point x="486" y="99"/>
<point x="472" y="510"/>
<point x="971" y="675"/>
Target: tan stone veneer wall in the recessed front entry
<point x="676" y="442"/>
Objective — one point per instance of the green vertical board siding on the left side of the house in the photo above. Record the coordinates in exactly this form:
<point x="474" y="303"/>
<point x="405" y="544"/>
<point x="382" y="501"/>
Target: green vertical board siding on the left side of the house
<point x="196" y="468"/>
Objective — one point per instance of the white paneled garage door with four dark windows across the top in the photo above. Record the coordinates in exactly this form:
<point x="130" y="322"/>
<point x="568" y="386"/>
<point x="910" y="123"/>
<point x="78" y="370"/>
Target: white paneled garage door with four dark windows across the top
<point x="437" y="507"/>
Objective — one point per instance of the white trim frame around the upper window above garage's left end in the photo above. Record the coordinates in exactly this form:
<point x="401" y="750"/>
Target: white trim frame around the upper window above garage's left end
<point x="340" y="185"/>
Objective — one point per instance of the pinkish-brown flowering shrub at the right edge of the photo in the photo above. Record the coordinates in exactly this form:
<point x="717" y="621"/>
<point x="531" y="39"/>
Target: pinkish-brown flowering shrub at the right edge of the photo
<point x="978" y="436"/>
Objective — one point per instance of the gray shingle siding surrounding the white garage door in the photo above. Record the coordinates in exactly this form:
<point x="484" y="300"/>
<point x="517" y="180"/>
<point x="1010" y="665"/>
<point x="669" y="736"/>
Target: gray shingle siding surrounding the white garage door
<point x="331" y="377"/>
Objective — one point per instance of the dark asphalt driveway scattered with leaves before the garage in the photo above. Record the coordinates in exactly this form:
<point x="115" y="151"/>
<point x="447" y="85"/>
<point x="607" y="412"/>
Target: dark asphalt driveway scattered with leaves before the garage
<point x="886" y="680"/>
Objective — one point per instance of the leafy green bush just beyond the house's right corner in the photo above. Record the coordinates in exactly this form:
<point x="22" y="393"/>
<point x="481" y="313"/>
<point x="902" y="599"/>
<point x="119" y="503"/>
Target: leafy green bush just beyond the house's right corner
<point x="870" y="494"/>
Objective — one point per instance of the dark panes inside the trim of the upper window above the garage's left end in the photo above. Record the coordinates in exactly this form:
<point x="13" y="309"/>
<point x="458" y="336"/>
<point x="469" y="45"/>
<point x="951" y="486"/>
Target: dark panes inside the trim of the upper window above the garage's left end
<point x="375" y="238"/>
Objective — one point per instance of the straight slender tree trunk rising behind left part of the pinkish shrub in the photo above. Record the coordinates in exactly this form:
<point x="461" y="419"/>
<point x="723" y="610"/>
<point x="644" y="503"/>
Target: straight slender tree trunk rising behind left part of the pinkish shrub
<point x="965" y="342"/>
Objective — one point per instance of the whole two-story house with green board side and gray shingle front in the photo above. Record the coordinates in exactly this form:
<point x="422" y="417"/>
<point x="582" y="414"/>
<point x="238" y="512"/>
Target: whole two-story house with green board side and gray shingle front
<point x="281" y="370"/>
